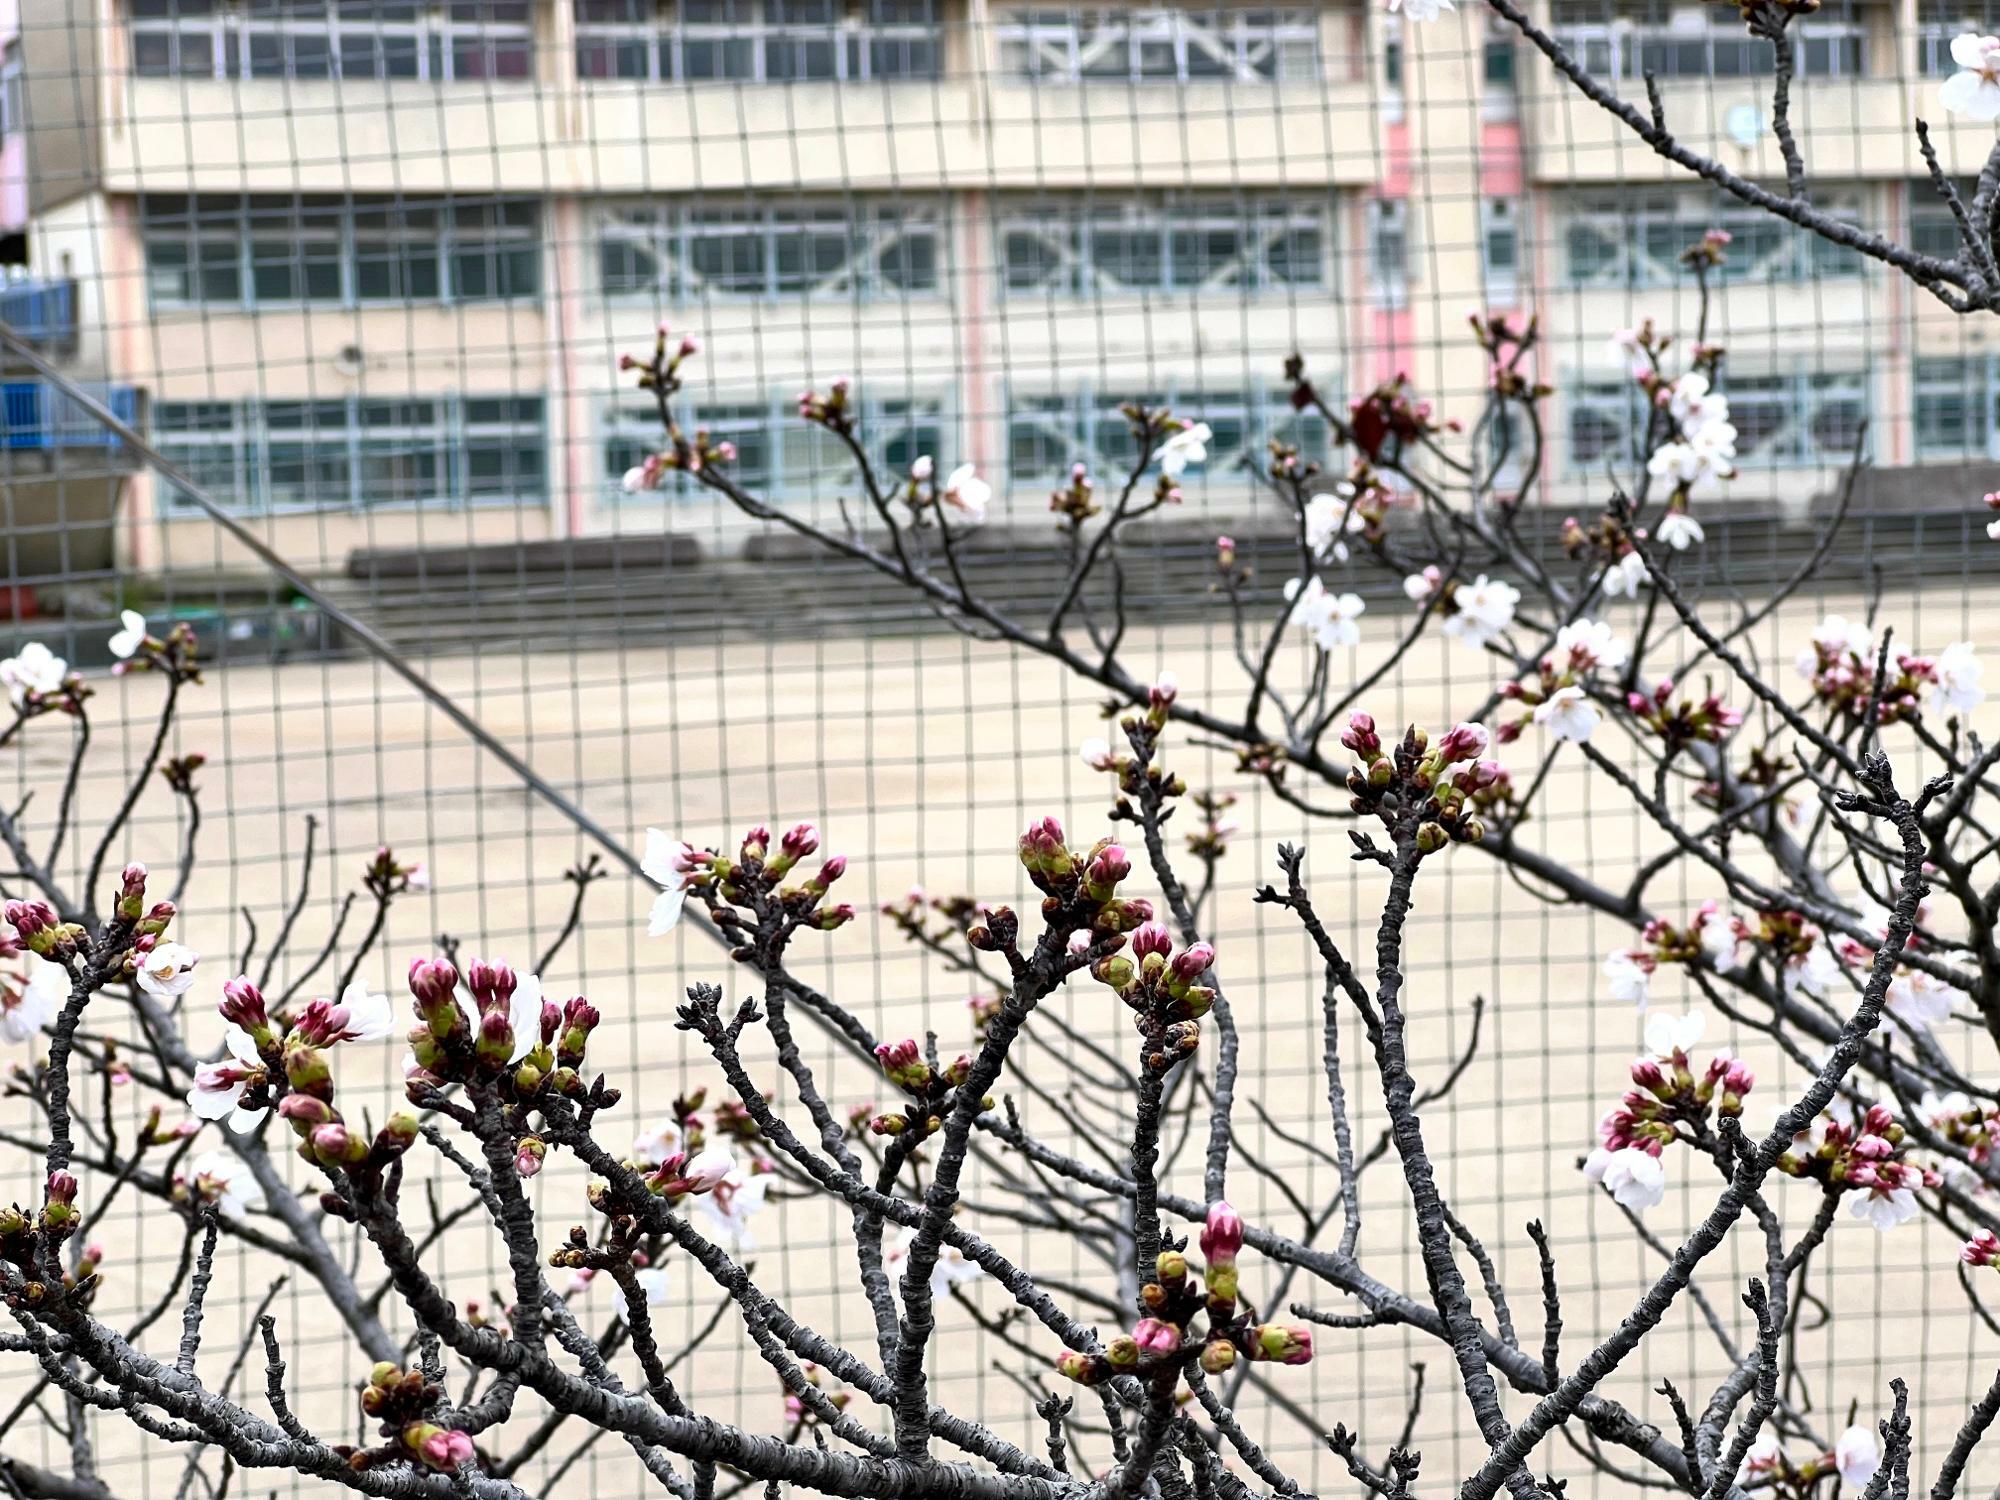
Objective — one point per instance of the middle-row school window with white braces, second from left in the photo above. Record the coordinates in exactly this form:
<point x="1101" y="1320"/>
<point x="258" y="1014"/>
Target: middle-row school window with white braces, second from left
<point x="865" y="251"/>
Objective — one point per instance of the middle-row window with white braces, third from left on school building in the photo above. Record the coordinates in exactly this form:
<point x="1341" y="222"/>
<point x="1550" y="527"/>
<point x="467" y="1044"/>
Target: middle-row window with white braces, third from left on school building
<point x="1165" y="245"/>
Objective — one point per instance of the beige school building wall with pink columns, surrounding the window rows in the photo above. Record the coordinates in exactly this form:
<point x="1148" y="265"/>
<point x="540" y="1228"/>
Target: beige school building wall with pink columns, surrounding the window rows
<point x="1439" y="147"/>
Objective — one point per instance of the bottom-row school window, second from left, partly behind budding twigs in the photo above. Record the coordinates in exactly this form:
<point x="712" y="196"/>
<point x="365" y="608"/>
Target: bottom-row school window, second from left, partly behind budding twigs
<point x="779" y="457"/>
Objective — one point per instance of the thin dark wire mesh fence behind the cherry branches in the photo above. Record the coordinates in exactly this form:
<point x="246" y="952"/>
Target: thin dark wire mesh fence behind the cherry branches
<point x="363" y="273"/>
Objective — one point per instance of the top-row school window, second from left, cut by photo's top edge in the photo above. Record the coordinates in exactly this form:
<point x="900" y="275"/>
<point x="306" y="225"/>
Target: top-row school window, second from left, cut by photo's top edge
<point x="759" y="41"/>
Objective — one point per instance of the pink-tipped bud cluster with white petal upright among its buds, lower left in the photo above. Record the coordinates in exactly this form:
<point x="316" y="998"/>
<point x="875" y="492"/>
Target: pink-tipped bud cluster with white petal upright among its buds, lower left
<point x="513" y="1039"/>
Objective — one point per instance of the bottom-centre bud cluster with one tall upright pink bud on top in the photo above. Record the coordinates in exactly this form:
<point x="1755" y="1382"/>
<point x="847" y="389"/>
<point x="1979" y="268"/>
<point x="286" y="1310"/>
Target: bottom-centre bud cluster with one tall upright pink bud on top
<point x="1167" y="1339"/>
